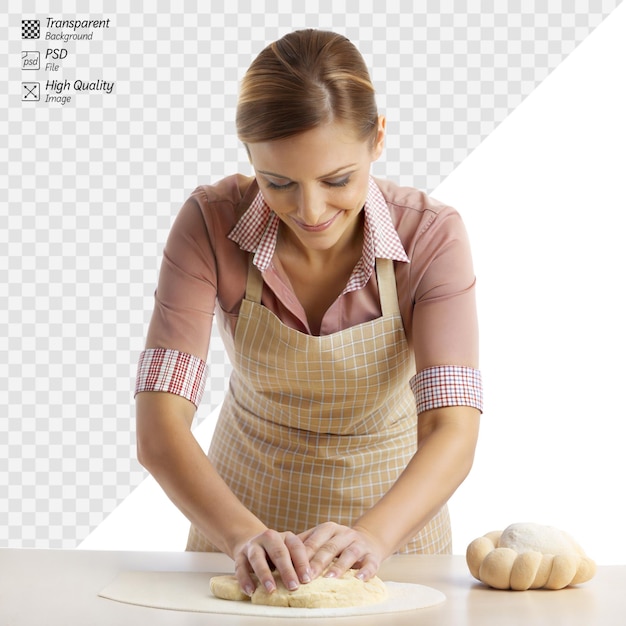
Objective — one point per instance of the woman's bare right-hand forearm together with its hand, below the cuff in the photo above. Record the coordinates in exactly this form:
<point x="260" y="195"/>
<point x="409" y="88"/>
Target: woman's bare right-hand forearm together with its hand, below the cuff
<point x="447" y="439"/>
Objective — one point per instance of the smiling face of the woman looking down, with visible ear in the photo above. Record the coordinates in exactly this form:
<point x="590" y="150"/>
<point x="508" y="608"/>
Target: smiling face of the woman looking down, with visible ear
<point x="316" y="182"/>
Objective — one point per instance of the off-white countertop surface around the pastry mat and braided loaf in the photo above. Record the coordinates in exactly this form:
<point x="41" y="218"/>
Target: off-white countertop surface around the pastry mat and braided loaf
<point x="60" y="587"/>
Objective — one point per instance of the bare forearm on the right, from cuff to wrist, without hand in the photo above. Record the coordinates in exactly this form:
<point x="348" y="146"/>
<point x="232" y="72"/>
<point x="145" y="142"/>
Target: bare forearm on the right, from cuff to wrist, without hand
<point x="445" y="456"/>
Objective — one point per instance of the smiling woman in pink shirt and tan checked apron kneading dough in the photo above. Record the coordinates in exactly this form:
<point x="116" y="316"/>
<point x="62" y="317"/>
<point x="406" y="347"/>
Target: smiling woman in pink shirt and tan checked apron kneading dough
<point x="346" y="305"/>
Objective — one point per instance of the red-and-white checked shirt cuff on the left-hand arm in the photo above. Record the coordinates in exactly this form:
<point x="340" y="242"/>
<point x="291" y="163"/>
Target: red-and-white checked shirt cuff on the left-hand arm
<point x="176" y="372"/>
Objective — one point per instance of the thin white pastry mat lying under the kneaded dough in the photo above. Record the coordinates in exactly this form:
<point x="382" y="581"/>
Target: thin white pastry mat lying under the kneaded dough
<point x="189" y="591"/>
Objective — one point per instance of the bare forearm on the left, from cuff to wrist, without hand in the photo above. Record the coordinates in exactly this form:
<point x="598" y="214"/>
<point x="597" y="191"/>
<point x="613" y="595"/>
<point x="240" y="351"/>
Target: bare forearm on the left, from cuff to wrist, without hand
<point x="170" y="452"/>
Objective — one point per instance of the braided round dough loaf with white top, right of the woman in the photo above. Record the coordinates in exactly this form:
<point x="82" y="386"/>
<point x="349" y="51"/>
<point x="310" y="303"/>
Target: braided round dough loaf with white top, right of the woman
<point x="528" y="556"/>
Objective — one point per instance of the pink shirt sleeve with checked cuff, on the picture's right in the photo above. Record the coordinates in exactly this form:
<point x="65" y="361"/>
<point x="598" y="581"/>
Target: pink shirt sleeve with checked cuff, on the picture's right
<point x="444" y="320"/>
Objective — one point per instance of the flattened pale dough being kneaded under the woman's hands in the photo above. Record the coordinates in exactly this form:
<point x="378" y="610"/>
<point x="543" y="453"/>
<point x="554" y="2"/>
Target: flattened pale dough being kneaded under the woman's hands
<point x="319" y="593"/>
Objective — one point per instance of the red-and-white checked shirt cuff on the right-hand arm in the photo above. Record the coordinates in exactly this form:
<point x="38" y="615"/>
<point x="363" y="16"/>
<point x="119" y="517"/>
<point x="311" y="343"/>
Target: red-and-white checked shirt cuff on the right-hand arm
<point x="447" y="385"/>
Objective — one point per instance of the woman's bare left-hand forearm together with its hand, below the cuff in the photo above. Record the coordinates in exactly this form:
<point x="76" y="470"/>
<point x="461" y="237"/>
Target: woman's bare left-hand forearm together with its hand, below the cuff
<point x="167" y="448"/>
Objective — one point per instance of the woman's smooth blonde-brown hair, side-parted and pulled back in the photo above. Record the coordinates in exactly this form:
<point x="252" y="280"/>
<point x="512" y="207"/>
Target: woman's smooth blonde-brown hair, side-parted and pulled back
<point x="305" y="79"/>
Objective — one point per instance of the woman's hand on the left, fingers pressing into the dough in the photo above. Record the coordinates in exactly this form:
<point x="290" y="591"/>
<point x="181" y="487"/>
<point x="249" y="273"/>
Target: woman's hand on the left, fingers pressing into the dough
<point x="283" y="551"/>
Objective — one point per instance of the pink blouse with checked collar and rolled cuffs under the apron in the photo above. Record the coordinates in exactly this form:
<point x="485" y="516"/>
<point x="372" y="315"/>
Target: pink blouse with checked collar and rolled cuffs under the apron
<point x="204" y="272"/>
